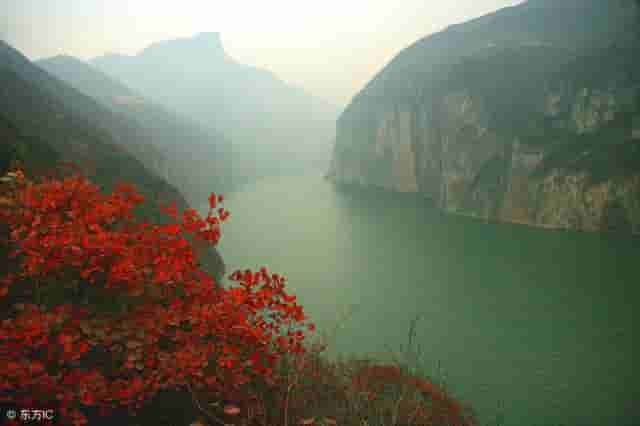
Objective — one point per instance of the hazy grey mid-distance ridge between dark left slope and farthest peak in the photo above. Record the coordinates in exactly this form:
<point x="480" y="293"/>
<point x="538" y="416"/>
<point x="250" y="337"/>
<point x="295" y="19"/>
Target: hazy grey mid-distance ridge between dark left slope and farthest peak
<point x="199" y="159"/>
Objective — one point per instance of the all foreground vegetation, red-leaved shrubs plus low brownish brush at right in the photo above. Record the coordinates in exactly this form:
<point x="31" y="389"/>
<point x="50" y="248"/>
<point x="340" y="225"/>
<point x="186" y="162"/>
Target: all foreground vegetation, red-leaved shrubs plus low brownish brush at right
<point x="110" y="319"/>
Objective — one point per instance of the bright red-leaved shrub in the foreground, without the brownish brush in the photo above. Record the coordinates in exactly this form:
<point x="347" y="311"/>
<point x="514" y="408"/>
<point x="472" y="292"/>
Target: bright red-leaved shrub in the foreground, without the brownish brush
<point x="180" y="329"/>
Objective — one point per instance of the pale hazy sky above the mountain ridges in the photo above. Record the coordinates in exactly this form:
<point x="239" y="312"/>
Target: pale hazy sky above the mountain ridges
<point x="330" y="47"/>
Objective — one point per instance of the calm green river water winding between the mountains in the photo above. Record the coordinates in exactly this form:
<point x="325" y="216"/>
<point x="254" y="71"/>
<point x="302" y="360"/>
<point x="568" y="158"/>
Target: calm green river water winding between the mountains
<point x="531" y="327"/>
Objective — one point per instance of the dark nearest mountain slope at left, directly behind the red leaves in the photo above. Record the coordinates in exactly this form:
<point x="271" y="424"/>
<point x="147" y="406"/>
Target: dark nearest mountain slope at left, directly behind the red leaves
<point x="44" y="121"/>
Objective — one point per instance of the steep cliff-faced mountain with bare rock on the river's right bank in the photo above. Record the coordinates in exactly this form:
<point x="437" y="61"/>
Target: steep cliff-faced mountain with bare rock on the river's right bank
<point x="530" y="115"/>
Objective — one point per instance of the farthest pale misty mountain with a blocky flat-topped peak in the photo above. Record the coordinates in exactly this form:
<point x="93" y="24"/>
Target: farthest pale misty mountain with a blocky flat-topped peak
<point x="275" y="127"/>
